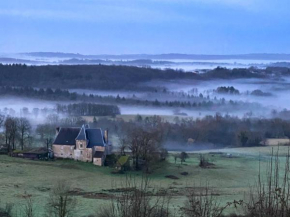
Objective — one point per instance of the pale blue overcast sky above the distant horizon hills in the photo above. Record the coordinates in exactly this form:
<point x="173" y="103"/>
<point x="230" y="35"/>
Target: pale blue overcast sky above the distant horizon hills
<point x="145" y="26"/>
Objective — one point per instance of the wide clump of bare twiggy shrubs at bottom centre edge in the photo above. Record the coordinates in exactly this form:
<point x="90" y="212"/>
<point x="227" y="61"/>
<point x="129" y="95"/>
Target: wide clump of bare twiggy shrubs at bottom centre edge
<point x="137" y="200"/>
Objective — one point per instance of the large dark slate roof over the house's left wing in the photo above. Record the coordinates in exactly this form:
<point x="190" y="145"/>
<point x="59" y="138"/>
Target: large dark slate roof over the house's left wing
<point x="67" y="136"/>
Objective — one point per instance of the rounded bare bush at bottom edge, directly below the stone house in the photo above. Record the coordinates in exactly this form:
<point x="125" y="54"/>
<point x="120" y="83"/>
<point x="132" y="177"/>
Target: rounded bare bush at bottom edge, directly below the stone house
<point x="60" y="202"/>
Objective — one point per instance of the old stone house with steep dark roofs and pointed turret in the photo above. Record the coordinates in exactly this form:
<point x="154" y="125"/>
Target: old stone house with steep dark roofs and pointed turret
<point x="83" y="144"/>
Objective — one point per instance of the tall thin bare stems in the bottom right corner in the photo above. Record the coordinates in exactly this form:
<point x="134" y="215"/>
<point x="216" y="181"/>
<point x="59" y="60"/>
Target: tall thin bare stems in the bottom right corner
<point x="271" y="198"/>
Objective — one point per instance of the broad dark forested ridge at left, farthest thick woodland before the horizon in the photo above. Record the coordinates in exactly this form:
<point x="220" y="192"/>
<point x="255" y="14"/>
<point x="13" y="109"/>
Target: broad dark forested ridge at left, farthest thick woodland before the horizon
<point x="102" y="77"/>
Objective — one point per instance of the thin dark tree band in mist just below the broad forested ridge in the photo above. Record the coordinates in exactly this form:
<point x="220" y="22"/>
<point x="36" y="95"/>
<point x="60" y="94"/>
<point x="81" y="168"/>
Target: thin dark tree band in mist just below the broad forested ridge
<point x="190" y="101"/>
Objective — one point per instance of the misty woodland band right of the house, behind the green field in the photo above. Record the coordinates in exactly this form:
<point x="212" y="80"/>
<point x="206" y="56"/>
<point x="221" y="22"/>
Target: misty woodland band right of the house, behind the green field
<point x="208" y="132"/>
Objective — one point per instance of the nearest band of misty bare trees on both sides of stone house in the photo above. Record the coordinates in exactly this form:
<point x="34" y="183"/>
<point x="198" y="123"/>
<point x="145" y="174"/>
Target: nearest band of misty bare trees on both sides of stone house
<point x="155" y="133"/>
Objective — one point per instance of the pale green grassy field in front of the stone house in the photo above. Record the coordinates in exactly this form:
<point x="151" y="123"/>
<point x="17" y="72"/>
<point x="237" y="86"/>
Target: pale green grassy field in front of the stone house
<point x="230" y="177"/>
